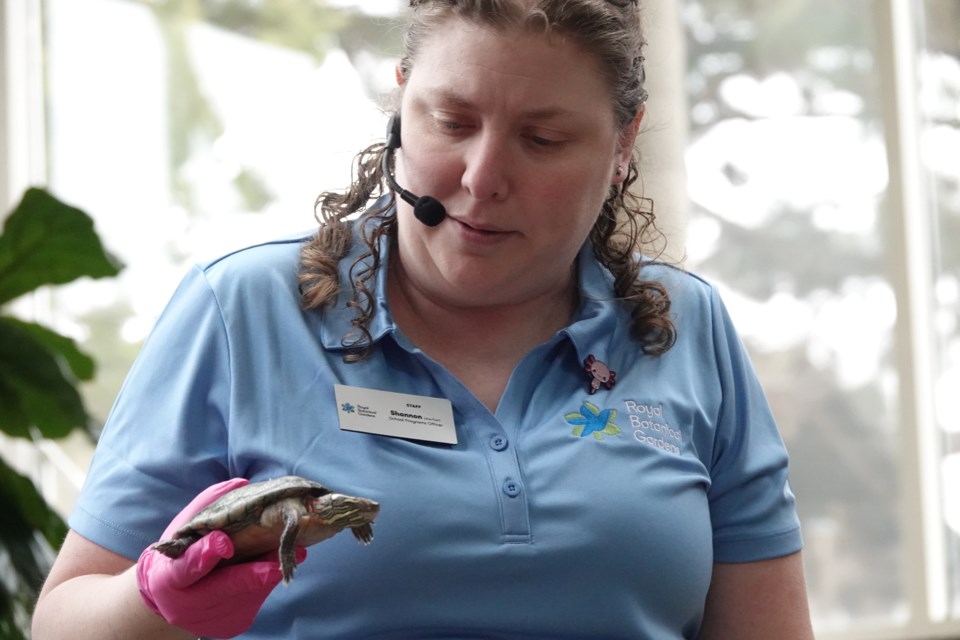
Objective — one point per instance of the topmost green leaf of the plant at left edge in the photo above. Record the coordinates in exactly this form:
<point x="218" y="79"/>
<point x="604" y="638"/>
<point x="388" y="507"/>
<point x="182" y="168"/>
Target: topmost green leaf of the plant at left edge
<point x="44" y="242"/>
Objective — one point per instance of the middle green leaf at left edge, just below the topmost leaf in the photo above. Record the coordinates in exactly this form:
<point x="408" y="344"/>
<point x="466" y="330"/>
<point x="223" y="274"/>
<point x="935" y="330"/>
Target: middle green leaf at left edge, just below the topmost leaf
<point x="35" y="390"/>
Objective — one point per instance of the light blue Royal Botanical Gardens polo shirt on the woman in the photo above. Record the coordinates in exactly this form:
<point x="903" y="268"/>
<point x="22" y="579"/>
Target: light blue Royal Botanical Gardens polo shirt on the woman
<point x="577" y="510"/>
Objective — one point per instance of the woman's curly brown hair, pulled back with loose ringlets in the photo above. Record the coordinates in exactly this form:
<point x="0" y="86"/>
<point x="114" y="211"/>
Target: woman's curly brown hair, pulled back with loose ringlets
<point x="626" y="222"/>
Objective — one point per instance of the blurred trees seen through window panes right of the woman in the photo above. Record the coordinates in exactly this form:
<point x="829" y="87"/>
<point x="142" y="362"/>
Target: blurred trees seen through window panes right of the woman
<point x="788" y="183"/>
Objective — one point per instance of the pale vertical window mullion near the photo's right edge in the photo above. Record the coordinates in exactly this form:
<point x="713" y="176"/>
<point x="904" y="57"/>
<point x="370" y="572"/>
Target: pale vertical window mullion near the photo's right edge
<point x="910" y="251"/>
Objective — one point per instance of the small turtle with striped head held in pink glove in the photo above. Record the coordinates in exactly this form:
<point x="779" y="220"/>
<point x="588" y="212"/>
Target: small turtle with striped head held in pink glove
<point x="281" y="513"/>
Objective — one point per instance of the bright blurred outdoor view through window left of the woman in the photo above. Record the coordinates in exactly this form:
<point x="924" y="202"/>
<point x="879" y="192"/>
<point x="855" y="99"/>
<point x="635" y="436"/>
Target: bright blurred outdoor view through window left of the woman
<point x="192" y="127"/>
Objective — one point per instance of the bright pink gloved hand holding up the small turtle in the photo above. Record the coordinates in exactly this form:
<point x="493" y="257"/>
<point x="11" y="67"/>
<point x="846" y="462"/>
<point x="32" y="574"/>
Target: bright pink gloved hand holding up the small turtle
<point x="192" y="593"/>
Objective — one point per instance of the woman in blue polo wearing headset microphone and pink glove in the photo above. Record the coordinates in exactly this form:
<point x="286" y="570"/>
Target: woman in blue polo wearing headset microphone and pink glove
<point x="609" y="467"/>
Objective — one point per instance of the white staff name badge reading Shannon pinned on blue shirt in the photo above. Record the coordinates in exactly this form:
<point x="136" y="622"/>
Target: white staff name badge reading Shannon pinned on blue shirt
<point x="399" y="415"/>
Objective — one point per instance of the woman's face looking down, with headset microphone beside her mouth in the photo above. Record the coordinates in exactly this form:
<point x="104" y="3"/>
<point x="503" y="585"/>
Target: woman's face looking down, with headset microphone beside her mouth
<point x="514" y="133"/>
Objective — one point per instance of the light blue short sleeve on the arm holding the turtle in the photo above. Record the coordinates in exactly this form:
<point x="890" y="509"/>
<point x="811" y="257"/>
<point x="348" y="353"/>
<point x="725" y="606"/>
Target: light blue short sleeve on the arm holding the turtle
<point x="165" y="438"/>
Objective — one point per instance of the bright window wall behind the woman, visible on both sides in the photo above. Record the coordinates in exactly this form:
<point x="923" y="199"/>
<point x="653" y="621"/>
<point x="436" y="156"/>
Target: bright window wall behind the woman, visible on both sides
<point x="821" y="147"/>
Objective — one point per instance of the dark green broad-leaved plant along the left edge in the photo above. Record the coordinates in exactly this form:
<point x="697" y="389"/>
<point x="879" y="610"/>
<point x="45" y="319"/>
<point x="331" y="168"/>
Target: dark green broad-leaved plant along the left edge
<point x="44" y="242"/>
